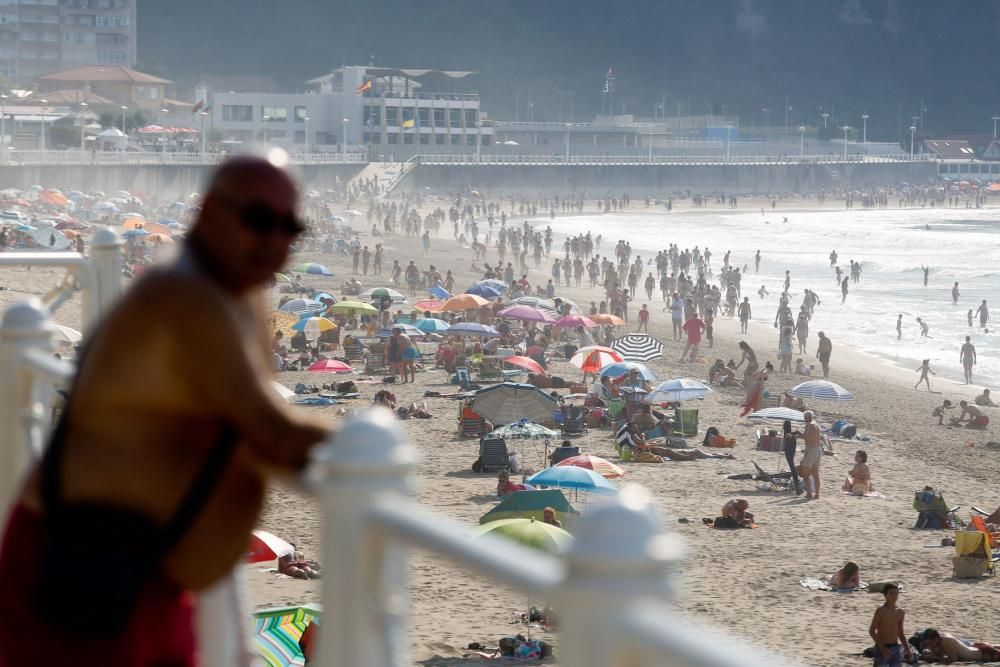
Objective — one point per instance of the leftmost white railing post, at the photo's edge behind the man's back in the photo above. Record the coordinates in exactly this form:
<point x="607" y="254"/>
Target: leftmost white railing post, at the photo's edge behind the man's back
<point x="25" y="326"/>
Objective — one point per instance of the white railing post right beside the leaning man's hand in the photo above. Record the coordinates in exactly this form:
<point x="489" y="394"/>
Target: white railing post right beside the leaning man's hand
<point x="364" y="574"/>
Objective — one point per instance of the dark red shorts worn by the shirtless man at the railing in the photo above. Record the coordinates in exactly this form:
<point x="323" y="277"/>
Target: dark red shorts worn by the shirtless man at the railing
<point x="160" y="633"/>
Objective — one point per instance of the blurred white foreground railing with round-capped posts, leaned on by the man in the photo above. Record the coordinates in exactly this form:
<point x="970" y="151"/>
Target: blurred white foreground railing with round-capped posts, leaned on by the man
<point x="613" y="590"/>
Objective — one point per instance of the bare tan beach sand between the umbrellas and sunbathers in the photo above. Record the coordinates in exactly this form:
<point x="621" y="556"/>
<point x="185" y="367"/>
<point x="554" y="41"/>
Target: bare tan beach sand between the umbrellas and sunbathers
<point x="746" y="582"/>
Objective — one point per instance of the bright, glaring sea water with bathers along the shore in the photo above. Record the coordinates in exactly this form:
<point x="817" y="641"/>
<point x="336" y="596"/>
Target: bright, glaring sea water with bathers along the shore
<point x="959" y="245"/>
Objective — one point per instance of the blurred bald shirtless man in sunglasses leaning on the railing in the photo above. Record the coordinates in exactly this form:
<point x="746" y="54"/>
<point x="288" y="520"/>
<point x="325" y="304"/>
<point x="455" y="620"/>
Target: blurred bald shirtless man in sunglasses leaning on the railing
<point x="149" y="410"/>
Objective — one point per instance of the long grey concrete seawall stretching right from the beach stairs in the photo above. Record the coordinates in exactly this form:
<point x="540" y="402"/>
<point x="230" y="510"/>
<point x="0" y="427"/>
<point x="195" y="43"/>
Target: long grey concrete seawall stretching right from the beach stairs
<point x="661" y="179"/>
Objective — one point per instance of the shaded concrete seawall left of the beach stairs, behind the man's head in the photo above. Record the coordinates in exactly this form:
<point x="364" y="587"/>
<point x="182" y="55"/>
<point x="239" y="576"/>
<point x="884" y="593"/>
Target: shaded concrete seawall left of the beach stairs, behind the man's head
<point x="161" y="180"/>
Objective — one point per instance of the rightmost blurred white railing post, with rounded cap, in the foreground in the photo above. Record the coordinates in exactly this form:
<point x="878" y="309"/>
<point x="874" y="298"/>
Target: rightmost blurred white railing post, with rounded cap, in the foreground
<point x="619" y="557"/>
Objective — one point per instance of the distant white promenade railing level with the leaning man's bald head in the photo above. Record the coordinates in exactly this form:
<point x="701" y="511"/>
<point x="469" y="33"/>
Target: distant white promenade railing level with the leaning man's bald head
<point x="142" y="158"/>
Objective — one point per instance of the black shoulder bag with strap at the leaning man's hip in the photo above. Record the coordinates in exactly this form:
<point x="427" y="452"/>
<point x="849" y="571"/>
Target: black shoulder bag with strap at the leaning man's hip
<point x="98" y="557"/>
